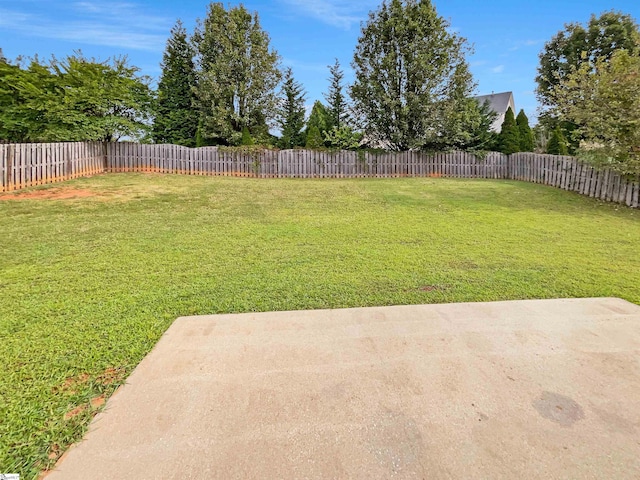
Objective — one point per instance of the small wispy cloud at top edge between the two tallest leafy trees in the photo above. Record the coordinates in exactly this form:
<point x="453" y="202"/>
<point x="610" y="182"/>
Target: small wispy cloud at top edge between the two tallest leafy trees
<point x="338" y="13"/>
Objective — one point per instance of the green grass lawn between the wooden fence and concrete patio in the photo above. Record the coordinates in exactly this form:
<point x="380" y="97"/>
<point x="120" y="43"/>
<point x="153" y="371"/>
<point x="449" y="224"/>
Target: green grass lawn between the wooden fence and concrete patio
<point x="88" y="285"/>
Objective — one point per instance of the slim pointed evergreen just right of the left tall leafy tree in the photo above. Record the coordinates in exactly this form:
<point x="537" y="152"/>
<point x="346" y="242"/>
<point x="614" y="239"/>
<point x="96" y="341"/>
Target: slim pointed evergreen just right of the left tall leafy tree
<point x="291" y="112"/>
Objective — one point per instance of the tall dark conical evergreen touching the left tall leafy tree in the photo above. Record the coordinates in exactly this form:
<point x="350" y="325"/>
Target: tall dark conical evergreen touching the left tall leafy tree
<point x="176" y="120"/>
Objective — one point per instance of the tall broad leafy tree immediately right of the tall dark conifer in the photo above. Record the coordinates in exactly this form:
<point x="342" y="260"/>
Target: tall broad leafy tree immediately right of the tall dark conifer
<point x="238" y="74"/>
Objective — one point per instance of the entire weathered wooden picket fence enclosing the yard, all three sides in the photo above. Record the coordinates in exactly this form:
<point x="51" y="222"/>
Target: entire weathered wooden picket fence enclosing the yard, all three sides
<point x="25" y="165"/>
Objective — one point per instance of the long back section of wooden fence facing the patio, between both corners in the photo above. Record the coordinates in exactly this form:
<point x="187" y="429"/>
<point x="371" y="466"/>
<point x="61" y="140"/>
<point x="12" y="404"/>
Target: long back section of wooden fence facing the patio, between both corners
<point x="128" y="157"/>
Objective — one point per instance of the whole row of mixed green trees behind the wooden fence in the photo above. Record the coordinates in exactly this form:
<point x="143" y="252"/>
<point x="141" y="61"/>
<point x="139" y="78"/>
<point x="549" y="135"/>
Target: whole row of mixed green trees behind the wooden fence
<point x="223" y="84"/>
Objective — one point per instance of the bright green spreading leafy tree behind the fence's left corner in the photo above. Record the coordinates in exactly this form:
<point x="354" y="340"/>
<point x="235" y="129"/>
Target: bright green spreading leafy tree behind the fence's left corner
<point x="74" y="99"/>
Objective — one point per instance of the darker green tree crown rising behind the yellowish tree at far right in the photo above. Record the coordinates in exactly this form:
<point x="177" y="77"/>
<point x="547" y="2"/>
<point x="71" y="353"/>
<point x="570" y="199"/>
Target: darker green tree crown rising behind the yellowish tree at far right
<point x="577" y="44"/>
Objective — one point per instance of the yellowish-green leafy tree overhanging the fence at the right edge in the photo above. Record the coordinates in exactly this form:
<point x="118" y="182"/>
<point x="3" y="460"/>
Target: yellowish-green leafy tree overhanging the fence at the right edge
<point x="603" y="100"/>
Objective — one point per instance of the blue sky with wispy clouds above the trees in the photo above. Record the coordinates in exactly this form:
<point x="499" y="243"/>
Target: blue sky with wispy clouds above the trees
<point x="308" y="34"/>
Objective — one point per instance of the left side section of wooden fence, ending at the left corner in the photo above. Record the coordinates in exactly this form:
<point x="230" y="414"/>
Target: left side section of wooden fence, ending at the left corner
<point x="28" y="164"/>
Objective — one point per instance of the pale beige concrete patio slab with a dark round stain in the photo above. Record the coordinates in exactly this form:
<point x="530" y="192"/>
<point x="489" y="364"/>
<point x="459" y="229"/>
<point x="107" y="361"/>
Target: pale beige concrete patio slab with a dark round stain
<point x="521" y="389"/>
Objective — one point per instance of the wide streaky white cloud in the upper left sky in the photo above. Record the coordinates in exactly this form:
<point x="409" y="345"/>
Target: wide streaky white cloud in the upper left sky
<point x="116" y="24"/>
